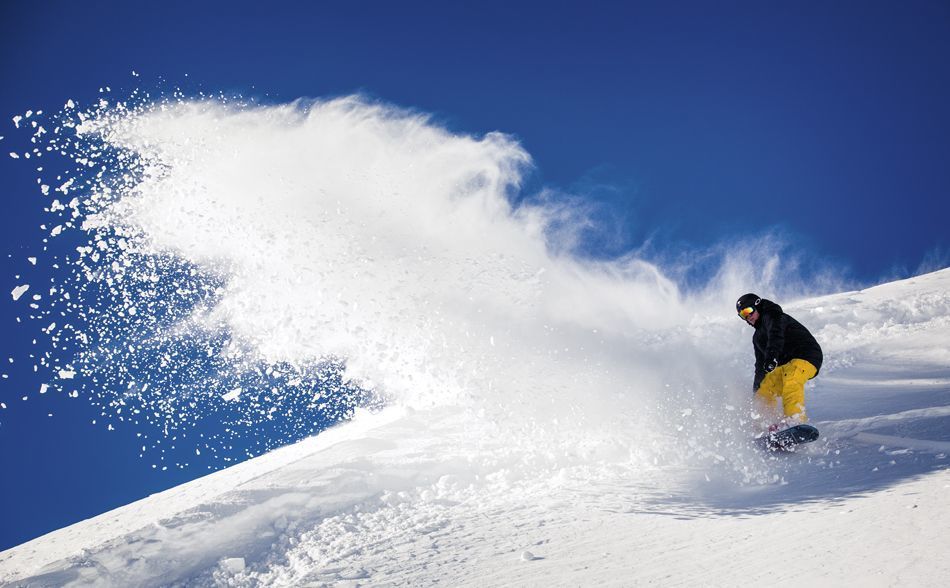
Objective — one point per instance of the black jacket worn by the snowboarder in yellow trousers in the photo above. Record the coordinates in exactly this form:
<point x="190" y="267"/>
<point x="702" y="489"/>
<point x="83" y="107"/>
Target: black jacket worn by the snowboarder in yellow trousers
<point x="779" y="336"/>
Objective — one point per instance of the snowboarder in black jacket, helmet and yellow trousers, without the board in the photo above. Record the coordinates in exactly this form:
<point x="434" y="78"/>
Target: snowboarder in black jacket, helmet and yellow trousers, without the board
<point x="786" y="356"/>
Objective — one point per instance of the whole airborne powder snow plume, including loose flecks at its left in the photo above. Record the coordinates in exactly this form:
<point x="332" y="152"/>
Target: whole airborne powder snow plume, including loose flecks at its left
<point x="289" y="264"/>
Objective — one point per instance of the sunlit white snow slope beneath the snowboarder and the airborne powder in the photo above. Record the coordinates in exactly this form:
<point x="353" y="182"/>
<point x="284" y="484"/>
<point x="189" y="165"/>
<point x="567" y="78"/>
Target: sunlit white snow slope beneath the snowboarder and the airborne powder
<point x="440" y="496"/>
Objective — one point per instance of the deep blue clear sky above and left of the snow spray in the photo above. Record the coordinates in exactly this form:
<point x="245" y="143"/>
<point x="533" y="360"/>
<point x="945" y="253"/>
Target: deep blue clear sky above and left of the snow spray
<point x="692" y="124"/>
